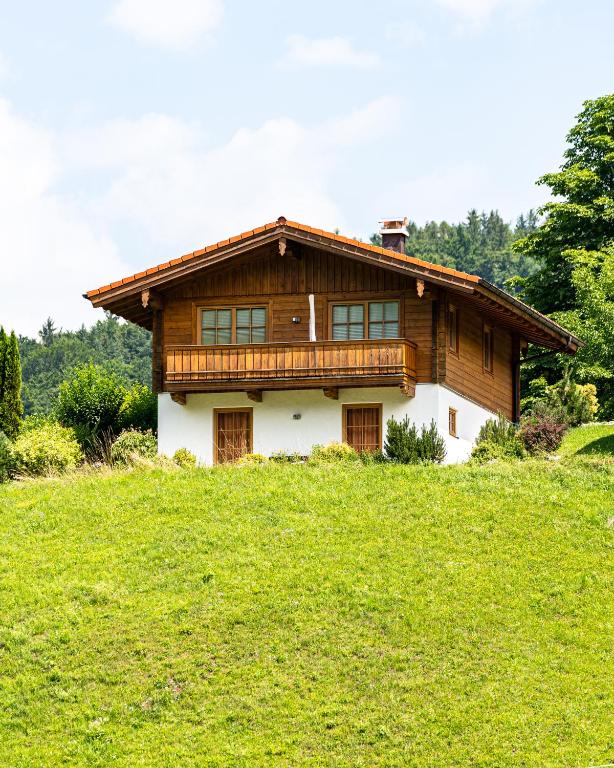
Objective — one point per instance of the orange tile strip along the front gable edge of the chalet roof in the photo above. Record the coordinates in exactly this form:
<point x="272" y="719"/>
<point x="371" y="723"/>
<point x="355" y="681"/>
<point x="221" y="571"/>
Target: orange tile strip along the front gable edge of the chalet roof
<point x="281" y="223"/>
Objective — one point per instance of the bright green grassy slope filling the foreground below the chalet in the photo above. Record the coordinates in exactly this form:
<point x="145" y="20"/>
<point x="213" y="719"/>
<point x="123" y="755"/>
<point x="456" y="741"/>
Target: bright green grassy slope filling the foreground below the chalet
<point x="303" y="616"/>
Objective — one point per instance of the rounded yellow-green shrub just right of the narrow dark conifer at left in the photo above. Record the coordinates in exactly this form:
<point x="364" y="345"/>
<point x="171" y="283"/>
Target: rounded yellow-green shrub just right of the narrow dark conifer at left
<point x="46" y="449"/>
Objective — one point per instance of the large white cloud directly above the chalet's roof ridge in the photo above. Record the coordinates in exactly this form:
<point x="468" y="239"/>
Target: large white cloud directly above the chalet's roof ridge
<point x="176" y="194"/>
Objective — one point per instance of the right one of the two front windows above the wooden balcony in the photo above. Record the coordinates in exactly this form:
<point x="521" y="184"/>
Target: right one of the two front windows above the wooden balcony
<point x="380" y="319"/>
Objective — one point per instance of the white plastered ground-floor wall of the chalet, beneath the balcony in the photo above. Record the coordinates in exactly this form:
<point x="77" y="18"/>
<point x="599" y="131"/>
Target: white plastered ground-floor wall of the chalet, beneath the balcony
<point x="276" y="428"/>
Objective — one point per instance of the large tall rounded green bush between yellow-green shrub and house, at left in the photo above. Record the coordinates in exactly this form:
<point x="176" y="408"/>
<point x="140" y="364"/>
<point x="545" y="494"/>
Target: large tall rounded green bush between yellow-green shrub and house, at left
<point x="90" y="402"/>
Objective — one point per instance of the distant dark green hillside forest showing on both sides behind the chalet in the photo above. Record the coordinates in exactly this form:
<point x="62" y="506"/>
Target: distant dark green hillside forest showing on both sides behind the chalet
<point x="481" y="244"/>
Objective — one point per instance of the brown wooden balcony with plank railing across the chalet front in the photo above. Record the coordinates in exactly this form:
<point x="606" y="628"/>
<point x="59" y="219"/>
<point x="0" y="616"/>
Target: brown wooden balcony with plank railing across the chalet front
<point x="291" y="365"/>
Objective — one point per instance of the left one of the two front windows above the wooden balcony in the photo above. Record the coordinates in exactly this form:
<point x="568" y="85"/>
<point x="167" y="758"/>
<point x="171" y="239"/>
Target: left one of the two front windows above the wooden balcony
<point x="233" y="325"/>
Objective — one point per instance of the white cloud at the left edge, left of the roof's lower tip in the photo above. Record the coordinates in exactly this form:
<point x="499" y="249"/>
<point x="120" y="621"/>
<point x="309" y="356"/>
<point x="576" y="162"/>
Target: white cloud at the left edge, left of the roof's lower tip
<point x="48" y="254"/>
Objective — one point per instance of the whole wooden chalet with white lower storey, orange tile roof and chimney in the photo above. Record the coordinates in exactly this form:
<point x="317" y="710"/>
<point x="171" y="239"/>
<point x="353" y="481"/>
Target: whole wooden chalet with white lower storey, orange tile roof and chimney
<point x="286" y="336"/>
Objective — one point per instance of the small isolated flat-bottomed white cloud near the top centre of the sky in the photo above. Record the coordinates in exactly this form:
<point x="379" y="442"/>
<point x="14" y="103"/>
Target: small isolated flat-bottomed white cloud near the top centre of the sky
<point x="303" y="52"/>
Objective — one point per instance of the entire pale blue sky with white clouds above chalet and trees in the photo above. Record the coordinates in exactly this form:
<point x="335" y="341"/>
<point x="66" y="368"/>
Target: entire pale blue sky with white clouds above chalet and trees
<point x="133" y="131"/>
